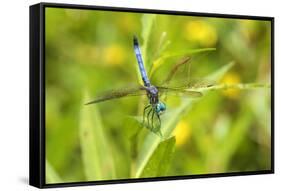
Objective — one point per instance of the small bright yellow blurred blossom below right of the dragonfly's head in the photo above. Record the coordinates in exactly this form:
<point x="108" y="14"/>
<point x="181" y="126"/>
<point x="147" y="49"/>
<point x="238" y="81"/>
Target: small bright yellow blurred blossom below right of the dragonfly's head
<point x="182" y="132"/>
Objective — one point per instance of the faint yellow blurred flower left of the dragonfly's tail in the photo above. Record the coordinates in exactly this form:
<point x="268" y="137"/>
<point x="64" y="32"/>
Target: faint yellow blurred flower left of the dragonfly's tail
<point x="114" y="55"/>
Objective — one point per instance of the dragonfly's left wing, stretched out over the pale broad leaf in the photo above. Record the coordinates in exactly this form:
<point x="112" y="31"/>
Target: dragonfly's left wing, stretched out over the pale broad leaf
<point x="115" y="94"/>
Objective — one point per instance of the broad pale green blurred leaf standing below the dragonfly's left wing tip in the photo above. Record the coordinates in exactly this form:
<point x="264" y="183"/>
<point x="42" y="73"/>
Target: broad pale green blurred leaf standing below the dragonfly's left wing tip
<point x="96" y="150"/>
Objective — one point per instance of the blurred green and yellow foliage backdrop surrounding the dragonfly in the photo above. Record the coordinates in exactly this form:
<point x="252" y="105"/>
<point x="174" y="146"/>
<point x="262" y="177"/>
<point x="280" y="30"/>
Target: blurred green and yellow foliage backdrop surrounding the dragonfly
<point x="88" y="52"/>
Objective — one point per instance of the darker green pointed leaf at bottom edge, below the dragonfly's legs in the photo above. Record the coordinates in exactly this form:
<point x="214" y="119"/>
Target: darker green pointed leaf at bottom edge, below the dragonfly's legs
<point x="159" y="162"/>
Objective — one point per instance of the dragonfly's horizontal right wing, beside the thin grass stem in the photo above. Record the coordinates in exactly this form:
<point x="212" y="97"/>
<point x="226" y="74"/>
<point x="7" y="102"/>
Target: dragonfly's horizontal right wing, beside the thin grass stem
<point x="179" y="91"/>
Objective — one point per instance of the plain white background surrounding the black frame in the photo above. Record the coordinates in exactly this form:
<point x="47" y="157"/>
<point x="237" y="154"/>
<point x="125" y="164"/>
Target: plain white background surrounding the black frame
<point x="14" y="92"/>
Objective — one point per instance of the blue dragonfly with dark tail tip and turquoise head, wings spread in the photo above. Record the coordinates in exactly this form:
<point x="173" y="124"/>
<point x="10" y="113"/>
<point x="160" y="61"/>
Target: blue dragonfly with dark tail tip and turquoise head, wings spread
<point x="156" y="107"/>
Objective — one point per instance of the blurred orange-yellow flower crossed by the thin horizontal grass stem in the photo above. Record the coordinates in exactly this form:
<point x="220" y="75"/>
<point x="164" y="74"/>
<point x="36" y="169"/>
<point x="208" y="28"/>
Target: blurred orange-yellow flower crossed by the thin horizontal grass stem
<point x="231" y="78"/>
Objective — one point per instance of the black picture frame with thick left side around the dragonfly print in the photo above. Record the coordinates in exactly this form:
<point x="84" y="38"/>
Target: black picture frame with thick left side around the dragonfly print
<point x="37" y="94"/>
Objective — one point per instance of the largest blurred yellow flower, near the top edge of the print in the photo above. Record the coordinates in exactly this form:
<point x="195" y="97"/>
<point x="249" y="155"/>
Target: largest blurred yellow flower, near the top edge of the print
<point x="201" y="32"/>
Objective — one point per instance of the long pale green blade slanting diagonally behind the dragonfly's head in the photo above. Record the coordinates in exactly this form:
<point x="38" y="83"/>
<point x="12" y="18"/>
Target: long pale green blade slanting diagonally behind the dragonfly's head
<point x="169" y="121"/>
